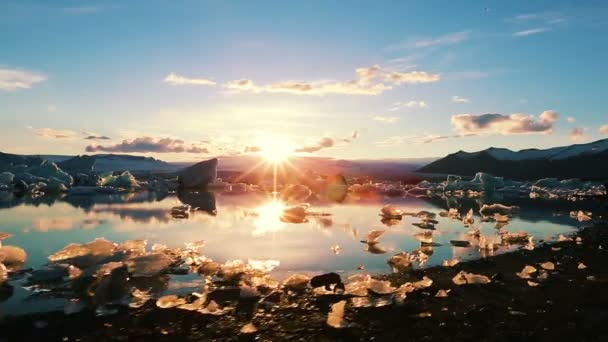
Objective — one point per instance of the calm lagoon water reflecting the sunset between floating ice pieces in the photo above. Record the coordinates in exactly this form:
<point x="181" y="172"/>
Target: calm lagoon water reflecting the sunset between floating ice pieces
<point x="247" y="226"/>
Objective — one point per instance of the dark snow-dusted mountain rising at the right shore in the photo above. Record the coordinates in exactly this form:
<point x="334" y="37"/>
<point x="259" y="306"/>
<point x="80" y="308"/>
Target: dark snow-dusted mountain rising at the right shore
<point x="585" y="161"/>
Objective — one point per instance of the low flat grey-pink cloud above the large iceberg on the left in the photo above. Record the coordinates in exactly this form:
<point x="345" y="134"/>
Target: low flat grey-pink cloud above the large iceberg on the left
<point x="149" y="145"/>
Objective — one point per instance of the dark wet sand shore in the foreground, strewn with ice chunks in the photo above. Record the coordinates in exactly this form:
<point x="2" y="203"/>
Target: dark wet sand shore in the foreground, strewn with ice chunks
<point x="566" y="306"/>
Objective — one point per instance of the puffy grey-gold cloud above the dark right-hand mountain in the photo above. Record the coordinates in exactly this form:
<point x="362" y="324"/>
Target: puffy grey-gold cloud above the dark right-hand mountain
<point x="505" y="124"/>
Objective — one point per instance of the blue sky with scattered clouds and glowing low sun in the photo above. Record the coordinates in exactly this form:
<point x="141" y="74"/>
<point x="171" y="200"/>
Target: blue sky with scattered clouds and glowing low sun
<point x="189" y="80"/>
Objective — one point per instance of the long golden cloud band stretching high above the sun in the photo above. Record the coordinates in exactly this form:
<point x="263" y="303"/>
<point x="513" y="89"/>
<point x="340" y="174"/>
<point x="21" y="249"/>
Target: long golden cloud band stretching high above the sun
<point x="368" y="82"/>
